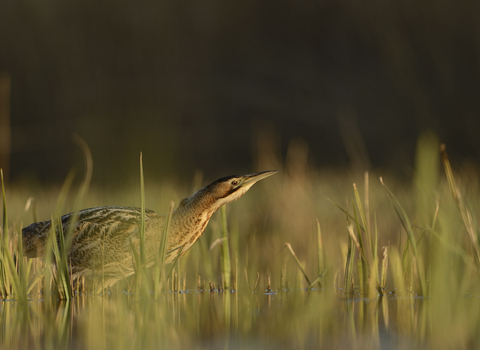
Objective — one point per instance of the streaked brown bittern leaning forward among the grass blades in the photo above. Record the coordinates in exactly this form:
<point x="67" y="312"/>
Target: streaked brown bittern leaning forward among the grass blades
<point x="103" y="237"/>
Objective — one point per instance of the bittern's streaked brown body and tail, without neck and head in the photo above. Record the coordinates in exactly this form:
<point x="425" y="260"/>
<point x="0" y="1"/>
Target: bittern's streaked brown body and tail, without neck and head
<point x="101" y="236"/>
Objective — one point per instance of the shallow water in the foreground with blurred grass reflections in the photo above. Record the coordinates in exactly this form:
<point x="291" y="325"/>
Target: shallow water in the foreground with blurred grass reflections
<point x="288" y="319"/>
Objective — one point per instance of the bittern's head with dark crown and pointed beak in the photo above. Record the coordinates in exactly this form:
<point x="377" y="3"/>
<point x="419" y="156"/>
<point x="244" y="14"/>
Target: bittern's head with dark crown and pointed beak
<point x="230" y="188"/>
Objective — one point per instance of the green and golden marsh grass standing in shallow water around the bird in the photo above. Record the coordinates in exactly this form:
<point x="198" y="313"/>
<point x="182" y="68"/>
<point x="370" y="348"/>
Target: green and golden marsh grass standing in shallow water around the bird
<point x="307" y="259"/>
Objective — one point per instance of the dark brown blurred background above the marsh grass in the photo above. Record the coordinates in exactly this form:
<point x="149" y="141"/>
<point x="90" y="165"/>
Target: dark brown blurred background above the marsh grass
<point x="204" y="84"/>
